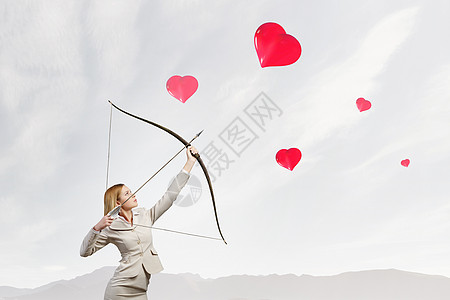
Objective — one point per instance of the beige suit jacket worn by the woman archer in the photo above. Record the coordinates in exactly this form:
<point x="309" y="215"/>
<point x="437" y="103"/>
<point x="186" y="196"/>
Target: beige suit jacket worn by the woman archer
<point x="135" y="243"/>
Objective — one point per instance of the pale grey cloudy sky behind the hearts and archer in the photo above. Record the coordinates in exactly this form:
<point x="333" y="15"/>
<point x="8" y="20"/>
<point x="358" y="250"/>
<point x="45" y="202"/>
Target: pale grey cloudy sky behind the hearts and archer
<point x="347" y="206"/>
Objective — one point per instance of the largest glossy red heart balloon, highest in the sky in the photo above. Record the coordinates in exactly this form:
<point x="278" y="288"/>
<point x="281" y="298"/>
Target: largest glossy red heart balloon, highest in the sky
<point x="274" y="47"/>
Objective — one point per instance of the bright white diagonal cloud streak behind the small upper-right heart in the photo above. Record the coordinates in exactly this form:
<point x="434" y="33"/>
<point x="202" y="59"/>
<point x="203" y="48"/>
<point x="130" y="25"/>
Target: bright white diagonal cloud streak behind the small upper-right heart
<point x="329" y="104"/>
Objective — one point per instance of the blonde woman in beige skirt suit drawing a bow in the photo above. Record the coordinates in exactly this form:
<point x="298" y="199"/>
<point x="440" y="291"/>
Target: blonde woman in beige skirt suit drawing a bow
<point x="135" y="243"/>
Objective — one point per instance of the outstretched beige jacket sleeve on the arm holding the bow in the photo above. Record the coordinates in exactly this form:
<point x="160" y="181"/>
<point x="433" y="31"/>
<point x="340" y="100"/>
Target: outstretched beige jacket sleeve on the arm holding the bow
<point x="169" y="196"/>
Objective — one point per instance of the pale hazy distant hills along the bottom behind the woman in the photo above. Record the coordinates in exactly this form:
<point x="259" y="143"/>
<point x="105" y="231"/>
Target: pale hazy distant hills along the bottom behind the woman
<point x="364" y="285"/>
